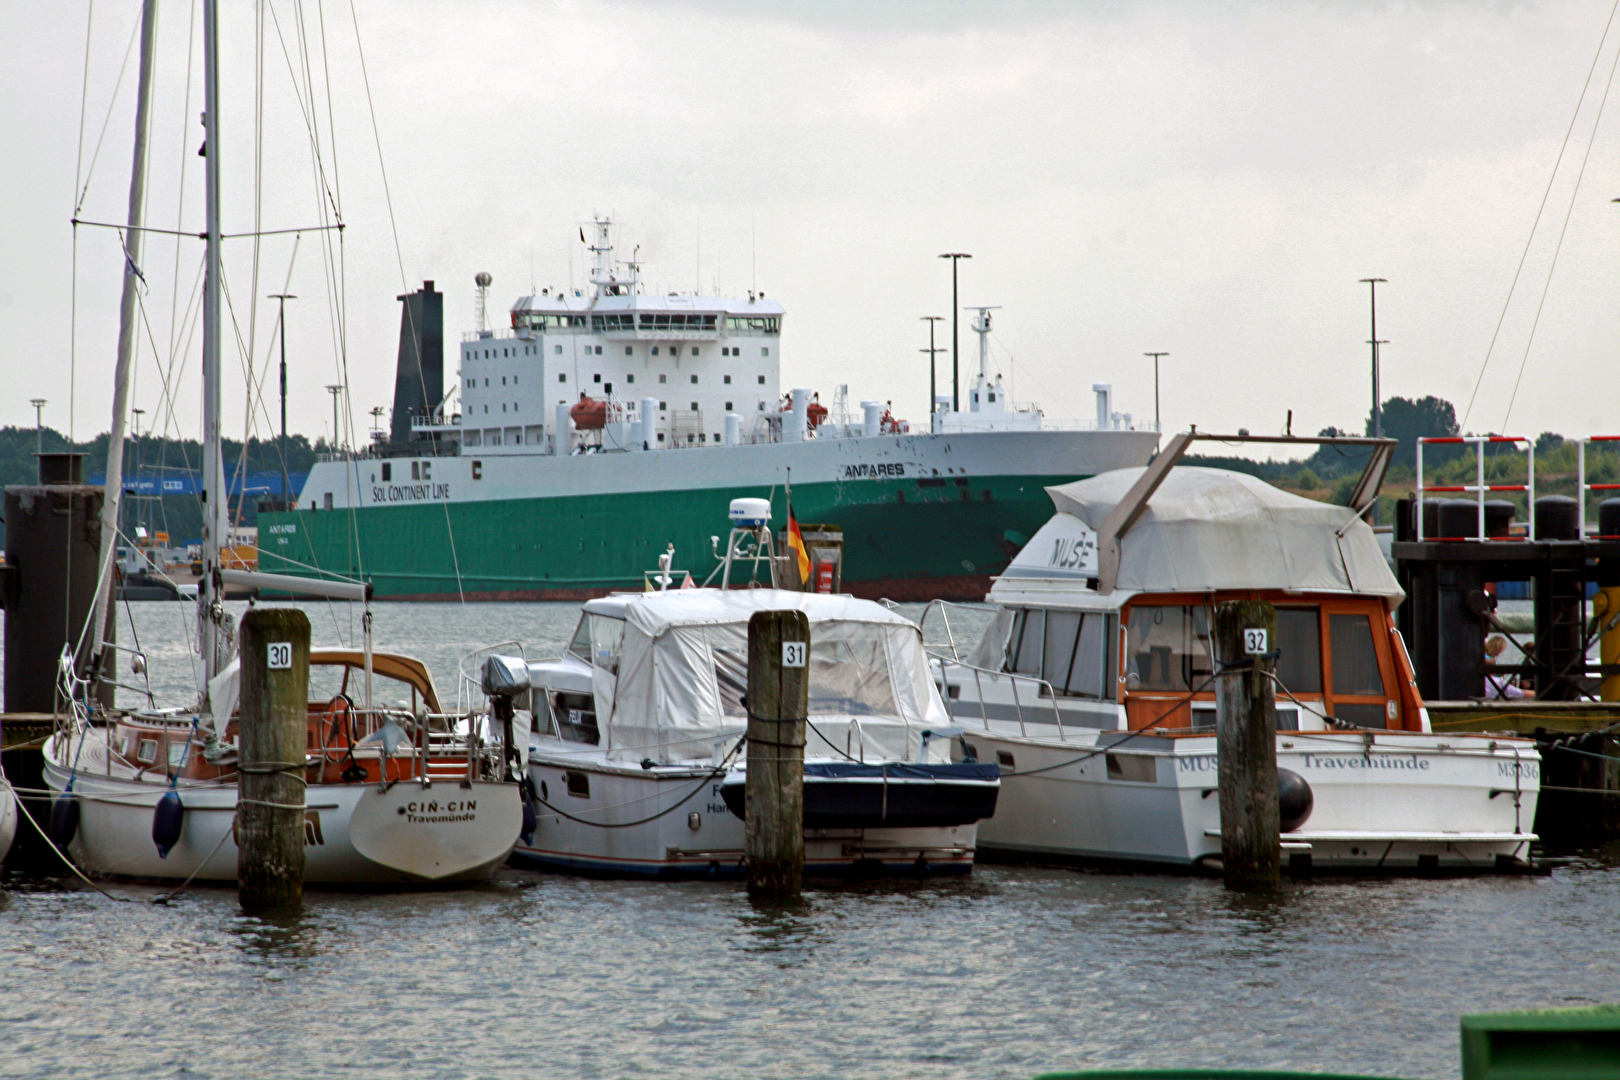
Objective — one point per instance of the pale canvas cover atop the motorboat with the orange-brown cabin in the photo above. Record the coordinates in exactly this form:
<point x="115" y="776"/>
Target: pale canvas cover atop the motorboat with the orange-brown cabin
<point x="1209" y="529"/>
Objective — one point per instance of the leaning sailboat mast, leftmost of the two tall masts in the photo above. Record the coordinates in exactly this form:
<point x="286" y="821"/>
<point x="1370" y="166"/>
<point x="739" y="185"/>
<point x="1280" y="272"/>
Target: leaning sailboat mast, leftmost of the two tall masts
<point x="127" y="328"/>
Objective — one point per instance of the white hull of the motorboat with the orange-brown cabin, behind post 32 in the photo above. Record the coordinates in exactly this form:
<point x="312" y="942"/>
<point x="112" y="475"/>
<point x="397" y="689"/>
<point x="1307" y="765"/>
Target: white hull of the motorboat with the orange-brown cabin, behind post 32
<point x="1386" y="802"/>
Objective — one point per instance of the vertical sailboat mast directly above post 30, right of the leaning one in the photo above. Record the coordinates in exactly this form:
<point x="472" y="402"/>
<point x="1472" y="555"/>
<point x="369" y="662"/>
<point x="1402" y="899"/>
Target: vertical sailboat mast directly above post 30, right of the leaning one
<point x="211" y="589"/>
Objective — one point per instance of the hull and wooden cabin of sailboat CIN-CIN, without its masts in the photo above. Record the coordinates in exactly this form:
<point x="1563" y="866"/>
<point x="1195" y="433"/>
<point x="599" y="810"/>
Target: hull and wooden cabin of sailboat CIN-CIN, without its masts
<point x="399" y="794"/>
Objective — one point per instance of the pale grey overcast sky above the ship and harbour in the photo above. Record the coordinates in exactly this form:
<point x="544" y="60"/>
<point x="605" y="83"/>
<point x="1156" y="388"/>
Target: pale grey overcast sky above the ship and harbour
<point x="1209" y="181"/>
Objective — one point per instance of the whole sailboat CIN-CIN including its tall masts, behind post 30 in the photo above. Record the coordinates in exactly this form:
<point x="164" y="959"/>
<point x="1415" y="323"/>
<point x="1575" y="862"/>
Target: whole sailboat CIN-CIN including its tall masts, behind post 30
<point x="396" y="794"/>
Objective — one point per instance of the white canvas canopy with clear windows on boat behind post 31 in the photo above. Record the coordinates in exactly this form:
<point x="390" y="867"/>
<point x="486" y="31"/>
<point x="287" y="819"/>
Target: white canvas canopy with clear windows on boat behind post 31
<point x="683" y="673"/>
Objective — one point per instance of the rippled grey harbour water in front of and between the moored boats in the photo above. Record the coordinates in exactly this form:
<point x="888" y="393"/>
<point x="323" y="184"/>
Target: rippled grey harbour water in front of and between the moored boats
<point x="1007" y="974"/>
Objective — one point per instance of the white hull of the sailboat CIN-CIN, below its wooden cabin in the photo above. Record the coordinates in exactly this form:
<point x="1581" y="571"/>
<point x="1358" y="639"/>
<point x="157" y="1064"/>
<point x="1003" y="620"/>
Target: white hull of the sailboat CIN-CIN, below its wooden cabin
<point x="356" y="835"/>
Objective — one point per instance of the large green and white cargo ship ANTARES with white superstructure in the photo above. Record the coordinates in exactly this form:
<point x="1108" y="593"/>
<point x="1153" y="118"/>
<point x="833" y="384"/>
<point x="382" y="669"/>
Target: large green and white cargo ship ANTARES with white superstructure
<point x="608" y="423"/>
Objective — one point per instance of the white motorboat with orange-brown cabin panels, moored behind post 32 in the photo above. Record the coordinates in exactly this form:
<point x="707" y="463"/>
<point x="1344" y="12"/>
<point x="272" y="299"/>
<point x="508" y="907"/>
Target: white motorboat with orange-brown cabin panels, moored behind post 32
<point x="1094" y="687"/>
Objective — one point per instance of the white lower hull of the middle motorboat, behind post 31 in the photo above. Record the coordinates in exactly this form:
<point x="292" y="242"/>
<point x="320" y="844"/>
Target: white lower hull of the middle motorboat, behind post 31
<point x="697" y="836"/>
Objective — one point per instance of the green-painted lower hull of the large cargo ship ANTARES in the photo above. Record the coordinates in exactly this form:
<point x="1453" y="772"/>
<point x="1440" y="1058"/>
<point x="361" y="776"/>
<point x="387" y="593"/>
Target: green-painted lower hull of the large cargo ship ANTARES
<point x="906" y="540"/>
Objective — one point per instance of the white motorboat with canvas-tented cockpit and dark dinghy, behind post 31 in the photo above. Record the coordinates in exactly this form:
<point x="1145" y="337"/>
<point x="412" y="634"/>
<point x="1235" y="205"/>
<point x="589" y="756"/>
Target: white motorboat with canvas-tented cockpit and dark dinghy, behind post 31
<point x="636" y="749"/>
